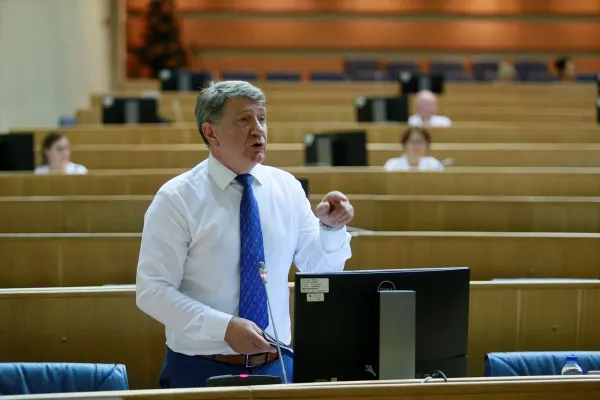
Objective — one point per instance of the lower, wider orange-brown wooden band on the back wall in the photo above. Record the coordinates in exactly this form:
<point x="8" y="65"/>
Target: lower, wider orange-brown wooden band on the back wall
<point x="373" y="35"/>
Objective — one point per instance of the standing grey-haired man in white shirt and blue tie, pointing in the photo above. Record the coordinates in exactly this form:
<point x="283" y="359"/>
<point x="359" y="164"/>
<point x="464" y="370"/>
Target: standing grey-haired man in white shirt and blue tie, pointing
<point x="205" y="233"/>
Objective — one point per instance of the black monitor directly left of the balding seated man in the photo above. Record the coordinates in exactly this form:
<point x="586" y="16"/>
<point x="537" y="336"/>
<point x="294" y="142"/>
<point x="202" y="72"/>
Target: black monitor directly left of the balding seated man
<point x="382" y="109"/>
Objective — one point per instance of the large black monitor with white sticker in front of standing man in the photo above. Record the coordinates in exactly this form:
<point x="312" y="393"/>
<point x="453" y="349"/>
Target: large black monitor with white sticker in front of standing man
<point x="345" y="329"/>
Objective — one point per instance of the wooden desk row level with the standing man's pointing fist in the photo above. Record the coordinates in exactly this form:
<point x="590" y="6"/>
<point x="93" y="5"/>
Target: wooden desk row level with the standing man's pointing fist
<point x="123" y="214"/>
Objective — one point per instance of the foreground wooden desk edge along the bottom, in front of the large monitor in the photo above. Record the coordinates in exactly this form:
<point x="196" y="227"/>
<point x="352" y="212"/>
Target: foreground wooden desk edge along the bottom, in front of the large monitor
<point x="518" y="388"/>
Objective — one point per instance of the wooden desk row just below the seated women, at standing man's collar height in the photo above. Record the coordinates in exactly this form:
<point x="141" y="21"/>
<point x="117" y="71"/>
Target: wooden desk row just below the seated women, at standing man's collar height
<point x="477" y="181"/>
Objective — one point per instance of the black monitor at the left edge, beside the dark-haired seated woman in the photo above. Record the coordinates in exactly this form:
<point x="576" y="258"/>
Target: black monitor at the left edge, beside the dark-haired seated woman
<point x="17" y="152"/>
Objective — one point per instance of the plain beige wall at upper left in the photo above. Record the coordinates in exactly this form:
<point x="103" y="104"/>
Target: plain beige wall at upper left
<point x="53" y="54"/>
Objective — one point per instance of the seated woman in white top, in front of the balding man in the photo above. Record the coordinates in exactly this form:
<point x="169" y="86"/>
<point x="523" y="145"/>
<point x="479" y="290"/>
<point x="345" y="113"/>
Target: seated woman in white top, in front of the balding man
<point x="416" y="142"/>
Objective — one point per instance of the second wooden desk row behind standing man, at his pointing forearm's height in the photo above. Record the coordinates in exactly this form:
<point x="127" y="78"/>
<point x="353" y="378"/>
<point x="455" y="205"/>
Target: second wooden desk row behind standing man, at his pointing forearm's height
<point x="47" y="260"/>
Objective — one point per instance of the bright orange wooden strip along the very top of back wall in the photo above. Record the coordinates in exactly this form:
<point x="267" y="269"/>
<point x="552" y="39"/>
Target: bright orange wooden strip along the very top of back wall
<point x="463" y="7"/>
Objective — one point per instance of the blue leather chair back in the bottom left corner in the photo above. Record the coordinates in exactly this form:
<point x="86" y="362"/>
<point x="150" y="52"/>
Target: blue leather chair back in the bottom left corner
<point x="40" y="378"/>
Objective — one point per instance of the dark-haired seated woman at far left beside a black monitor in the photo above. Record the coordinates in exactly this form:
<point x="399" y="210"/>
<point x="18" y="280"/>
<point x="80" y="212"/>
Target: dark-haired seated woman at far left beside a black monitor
<point x="56" y="156"/>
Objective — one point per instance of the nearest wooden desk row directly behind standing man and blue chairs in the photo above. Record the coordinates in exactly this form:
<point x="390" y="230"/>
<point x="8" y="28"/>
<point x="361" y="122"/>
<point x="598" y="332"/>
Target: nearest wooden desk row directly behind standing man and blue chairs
<point x="103" y="324"/>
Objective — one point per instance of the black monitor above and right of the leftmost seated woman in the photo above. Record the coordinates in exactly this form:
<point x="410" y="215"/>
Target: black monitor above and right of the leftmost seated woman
<point x="129" y="110"/>
